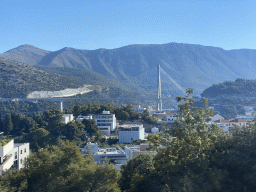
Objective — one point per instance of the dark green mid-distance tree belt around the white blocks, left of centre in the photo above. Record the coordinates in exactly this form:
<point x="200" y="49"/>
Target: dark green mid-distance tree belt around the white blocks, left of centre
<point x="46" y="128"/>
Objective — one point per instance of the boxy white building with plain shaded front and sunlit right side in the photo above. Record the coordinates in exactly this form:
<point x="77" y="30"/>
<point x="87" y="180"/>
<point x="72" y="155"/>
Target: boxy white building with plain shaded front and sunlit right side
<point x="129" y="133"/>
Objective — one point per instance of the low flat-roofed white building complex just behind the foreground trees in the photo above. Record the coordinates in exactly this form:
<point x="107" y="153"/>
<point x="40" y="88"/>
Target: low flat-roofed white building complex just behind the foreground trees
<point x="115" y="155"/>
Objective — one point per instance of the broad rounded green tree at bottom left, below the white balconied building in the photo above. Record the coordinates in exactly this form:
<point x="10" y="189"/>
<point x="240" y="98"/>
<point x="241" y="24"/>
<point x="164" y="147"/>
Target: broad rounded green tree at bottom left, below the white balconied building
<point x="62" y="169"/>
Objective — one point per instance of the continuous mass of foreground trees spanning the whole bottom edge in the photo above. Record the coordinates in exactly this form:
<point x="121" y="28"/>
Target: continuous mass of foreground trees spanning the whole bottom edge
<point x="191" y="157"/>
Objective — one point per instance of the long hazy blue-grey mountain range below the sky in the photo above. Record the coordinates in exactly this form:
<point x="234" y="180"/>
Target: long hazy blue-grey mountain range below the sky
<point x="182" y="65"/>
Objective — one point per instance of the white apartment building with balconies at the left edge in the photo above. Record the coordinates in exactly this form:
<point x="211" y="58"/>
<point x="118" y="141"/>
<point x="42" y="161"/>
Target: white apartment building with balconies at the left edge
<point x="12" y="154"/>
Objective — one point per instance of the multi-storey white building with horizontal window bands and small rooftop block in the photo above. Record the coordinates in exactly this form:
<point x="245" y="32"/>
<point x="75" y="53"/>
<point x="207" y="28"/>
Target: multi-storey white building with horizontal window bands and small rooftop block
<point x="106" y="122"/>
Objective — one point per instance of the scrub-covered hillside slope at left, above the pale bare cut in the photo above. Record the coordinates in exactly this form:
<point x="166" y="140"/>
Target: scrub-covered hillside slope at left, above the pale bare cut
<point x="18" y="79"/>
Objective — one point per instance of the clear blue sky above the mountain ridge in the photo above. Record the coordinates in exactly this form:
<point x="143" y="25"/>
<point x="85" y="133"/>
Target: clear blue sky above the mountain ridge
<point x="93" y="24"/>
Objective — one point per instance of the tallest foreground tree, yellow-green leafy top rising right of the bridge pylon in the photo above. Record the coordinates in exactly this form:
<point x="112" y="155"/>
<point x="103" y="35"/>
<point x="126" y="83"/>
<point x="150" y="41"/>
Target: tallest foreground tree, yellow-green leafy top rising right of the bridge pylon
<point x="182" y="163"/>
